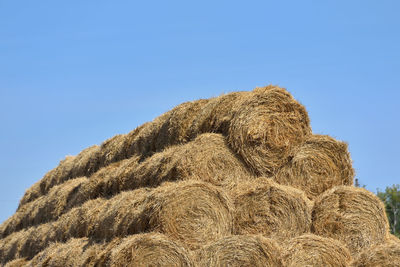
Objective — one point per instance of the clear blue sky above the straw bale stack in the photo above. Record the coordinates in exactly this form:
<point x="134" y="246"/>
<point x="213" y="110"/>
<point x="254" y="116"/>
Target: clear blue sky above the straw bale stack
<point x="74" y="73"/>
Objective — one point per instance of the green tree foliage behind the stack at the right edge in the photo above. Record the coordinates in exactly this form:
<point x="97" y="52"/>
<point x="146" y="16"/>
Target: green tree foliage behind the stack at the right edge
<point x="391" y="198"/>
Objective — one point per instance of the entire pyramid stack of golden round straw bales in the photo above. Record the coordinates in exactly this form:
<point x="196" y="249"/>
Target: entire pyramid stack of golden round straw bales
<point x="236" y="180"/>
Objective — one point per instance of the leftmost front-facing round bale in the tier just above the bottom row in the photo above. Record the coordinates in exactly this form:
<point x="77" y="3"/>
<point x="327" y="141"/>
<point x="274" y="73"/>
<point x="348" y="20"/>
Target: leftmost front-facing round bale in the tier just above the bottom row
<point x="192" y="212"/>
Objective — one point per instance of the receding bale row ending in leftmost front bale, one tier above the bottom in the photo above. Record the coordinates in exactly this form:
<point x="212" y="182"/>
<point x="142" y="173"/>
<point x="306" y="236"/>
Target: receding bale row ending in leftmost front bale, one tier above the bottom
<point x="191" y="212"/>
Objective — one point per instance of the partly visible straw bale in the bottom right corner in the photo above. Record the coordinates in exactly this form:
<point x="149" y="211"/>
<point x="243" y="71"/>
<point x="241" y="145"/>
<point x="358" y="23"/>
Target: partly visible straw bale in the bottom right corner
<point x="386" y="254"/>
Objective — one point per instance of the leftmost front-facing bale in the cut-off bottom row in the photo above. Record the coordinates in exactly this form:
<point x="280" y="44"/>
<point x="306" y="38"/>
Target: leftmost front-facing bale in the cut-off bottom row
<point x="150" y="249"/>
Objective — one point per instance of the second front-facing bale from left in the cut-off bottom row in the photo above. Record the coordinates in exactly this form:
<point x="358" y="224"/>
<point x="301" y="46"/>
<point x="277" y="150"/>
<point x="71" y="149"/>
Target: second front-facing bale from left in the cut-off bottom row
<point x="241" y="250"/>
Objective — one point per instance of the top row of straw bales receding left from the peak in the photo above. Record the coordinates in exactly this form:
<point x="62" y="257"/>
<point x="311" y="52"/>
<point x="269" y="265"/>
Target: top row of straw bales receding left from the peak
<point x="264" y="125"/>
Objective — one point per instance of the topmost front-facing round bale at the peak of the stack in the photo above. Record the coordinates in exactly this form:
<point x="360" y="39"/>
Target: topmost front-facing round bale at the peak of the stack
<point x="267" y="125"/>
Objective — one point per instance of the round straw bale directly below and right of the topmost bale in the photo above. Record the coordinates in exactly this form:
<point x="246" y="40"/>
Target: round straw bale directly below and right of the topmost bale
<point x="319" y="164"/>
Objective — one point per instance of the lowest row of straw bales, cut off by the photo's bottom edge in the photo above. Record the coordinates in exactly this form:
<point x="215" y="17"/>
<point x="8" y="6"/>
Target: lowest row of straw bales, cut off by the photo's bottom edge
<point x="154" y="249"/>
